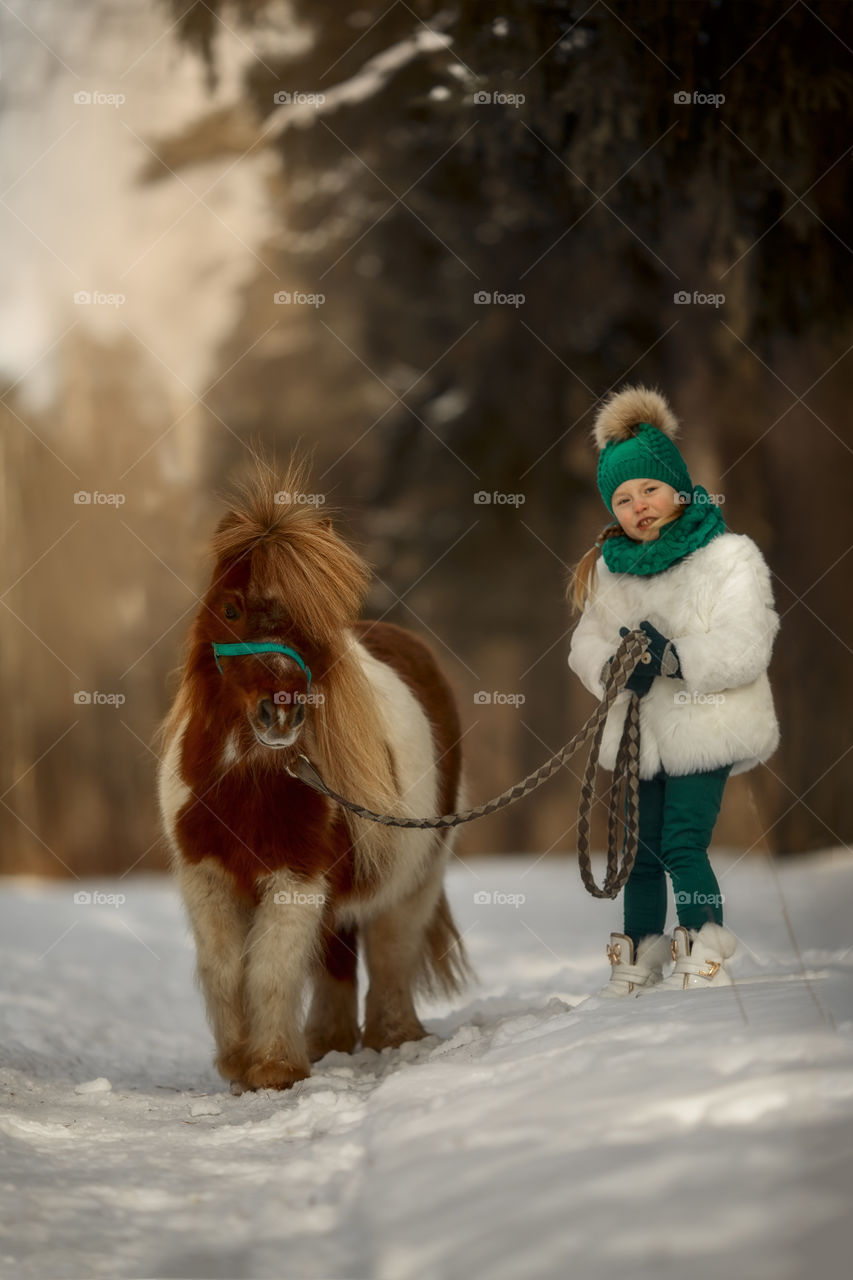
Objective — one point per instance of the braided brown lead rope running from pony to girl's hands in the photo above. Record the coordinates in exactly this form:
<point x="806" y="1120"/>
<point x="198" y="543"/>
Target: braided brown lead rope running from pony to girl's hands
<point x="627" y="767"/>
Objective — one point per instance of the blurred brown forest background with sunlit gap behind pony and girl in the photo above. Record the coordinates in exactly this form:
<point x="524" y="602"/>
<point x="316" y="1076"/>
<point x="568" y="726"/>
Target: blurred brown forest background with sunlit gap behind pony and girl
<point x="190" y="167"/>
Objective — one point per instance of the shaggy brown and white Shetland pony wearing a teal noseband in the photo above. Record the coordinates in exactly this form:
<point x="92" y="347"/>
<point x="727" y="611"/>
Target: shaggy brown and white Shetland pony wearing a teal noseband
<point x="281" y="885"/>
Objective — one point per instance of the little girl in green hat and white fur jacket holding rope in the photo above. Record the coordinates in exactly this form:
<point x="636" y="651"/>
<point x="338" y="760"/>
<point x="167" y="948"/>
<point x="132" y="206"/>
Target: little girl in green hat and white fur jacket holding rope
<point x="704" y="597"/>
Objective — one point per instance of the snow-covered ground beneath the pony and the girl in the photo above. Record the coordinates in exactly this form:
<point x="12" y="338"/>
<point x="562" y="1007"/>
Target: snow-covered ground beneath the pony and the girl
<point x="541" y="1132"/>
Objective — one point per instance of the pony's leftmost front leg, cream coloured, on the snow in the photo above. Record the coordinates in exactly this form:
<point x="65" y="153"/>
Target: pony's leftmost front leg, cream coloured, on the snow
<point x="221" y="924"/>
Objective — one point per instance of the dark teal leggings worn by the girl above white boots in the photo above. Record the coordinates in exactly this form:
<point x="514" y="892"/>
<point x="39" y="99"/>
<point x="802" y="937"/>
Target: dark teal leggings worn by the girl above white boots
<point x="677" y="819"/>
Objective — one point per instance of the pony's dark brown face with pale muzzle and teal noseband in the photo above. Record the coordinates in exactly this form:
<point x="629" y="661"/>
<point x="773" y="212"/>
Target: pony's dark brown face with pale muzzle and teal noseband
<point x="271" y="689"/>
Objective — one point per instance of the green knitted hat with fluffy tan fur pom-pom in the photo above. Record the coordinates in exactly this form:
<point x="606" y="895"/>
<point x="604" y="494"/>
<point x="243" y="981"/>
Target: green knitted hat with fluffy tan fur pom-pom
<point x="635" y="432"/>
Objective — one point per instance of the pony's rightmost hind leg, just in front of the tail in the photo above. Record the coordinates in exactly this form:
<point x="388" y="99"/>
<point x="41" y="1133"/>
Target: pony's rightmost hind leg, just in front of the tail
<point x="395" y="943"/>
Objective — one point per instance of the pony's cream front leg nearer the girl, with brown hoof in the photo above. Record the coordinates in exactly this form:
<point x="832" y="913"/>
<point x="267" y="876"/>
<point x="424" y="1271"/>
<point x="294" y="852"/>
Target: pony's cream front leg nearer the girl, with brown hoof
<point x="280" y="956"/>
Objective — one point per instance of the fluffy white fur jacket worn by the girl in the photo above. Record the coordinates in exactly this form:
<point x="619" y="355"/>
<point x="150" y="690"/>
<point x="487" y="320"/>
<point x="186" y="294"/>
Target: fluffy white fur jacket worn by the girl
<point x="717" y="606"/>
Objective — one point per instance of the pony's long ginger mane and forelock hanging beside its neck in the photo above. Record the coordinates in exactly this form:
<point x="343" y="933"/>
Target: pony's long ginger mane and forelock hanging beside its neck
<point x="321" y="583"/>
